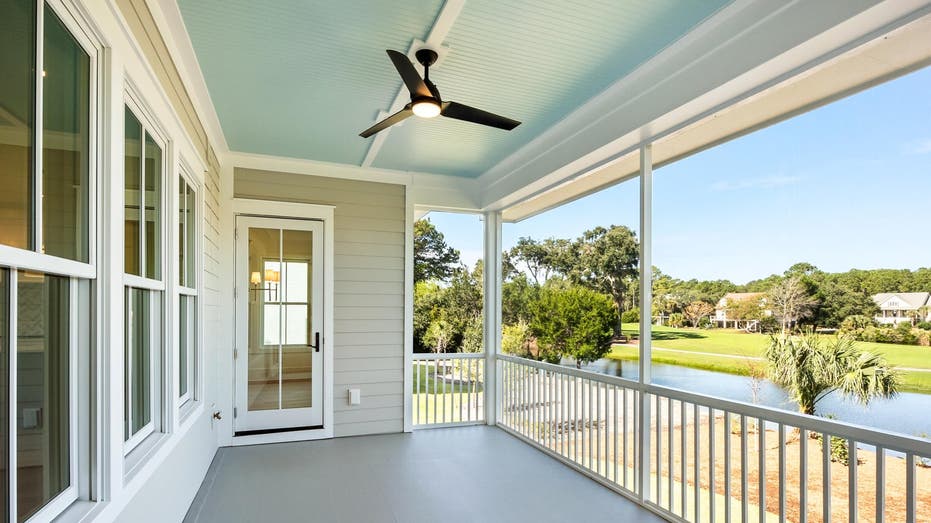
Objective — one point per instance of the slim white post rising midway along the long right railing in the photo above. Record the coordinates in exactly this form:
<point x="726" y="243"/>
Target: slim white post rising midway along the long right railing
<point x="646" y="306"/>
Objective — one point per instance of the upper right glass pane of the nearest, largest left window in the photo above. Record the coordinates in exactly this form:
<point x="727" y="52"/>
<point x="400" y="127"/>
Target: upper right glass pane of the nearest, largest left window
<point x="65" y="145"/>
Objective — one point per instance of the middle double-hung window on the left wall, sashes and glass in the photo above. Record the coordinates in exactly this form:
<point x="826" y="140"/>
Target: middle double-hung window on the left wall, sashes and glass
<point x="144" y="179"/>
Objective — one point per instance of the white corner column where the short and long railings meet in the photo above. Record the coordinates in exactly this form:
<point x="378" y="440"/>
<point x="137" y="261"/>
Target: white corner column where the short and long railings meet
<point x="492" y="286"/>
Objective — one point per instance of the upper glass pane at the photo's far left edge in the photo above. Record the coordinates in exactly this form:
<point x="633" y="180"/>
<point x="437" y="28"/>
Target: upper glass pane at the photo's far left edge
<point x="17" y="95"/>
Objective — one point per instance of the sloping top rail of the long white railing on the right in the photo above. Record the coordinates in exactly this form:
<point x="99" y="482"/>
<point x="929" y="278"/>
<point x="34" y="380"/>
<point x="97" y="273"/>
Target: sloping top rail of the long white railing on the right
<point x="859" y="433"/>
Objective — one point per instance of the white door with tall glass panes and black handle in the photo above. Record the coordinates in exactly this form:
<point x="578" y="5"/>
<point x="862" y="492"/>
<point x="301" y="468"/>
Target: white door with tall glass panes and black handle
<point x="279" y="324"/>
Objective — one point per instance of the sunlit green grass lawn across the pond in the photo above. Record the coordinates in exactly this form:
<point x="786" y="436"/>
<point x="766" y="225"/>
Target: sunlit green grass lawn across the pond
<point x="737" y="348"/>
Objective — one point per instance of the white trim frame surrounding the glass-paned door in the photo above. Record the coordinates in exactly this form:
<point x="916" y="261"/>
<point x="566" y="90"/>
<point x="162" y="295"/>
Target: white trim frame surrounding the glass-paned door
<point x="324" y="213"/>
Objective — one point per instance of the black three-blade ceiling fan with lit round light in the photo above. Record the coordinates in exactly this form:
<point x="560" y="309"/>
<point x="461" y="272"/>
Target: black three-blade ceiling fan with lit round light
<point x="425" y="98"/>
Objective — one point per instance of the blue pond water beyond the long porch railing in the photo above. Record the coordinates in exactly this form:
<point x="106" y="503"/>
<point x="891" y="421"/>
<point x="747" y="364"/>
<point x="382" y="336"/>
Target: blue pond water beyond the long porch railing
<point x="908" y="413"/>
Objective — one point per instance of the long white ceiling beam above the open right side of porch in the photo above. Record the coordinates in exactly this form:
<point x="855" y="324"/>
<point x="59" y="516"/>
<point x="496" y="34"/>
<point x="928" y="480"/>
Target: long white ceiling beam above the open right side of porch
<point x="743" y="50"/>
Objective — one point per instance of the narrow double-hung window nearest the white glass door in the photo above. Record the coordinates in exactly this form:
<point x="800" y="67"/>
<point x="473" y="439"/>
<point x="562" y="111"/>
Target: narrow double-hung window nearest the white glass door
<point x="187" y="289"/>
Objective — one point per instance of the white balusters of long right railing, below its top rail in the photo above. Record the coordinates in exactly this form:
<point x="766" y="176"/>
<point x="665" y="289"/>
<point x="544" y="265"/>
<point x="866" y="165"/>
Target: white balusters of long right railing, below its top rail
<point x="712" y="459"/>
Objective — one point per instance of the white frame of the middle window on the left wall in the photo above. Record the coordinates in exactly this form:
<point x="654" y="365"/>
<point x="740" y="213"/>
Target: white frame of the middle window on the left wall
<point x="160" y="316"/>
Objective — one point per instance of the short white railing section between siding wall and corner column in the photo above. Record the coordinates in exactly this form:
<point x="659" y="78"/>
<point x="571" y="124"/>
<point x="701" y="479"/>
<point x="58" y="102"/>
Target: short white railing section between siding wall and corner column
<point x="449" y="389"/>
